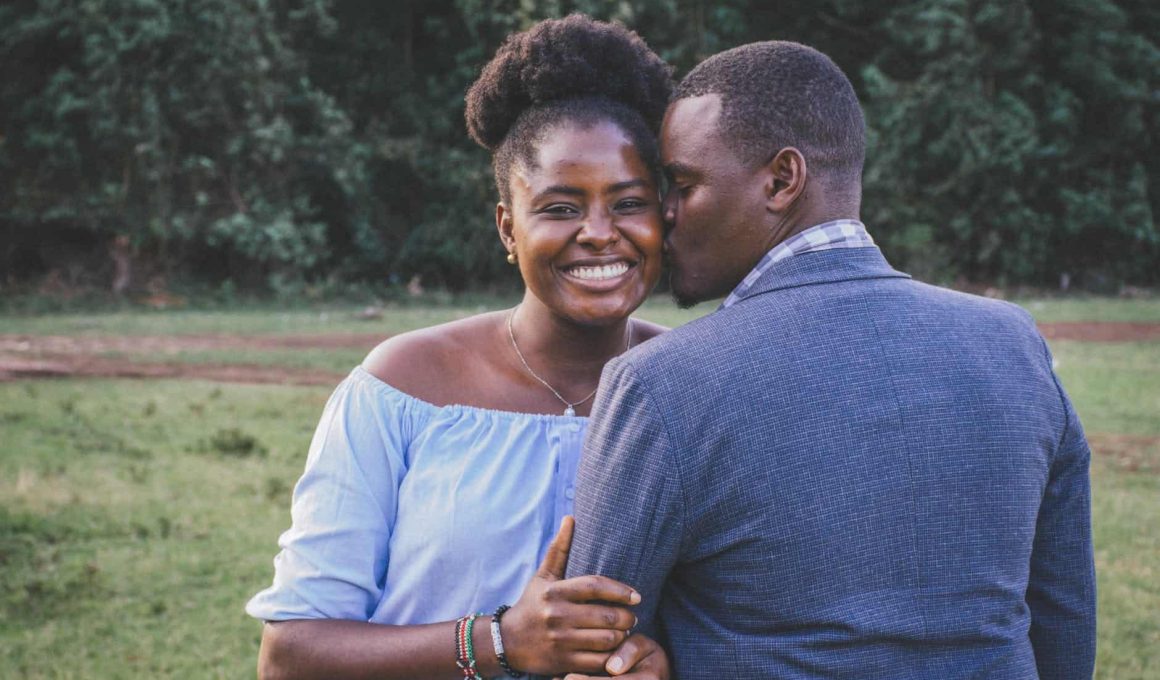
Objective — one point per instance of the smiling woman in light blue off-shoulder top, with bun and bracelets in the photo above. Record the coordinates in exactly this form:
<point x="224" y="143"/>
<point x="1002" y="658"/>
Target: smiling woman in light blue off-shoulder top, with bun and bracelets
<point x="444" y="465"/>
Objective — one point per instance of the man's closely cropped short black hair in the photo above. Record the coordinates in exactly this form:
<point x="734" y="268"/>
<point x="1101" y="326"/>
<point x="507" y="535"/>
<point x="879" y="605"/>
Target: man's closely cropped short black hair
<point x="778" y="95"/>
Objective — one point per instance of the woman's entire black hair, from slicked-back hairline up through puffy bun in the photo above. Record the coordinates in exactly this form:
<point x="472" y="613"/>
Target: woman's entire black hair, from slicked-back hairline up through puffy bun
<point x="575" y="70"/>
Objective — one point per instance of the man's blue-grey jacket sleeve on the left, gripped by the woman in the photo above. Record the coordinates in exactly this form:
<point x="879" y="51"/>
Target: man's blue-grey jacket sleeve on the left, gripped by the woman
<point x="629" y="504"/>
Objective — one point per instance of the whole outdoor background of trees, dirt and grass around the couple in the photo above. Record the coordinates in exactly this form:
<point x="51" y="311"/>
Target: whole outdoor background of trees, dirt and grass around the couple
<point x="212" y="209"/>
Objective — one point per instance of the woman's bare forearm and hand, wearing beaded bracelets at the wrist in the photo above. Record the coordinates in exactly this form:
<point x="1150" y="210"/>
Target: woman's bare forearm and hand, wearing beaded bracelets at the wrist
<point x="555" y="627"/>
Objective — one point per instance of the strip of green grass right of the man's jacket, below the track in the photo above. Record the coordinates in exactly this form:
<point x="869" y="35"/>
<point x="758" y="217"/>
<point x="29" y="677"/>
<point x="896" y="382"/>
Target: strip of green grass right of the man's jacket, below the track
<point x="1116" y="390"/>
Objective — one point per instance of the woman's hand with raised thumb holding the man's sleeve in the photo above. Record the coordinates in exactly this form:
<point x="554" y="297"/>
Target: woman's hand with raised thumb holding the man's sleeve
<point x="561" y="624"/>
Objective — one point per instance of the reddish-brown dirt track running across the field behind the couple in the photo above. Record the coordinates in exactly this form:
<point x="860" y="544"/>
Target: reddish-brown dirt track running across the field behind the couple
<point x="49" y="357"/>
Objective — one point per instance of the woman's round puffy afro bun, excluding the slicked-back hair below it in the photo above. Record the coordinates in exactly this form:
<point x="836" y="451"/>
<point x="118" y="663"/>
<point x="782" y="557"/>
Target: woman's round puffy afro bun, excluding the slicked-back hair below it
<point x="567" y="59"/>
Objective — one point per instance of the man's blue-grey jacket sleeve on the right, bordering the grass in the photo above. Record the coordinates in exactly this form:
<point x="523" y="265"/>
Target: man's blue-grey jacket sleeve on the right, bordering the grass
<point x="1062" y="588"/>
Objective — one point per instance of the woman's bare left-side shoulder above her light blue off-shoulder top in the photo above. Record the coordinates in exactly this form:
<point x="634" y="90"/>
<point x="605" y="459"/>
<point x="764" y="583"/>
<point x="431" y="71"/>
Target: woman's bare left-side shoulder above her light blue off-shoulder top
<point x="429" y="363"/>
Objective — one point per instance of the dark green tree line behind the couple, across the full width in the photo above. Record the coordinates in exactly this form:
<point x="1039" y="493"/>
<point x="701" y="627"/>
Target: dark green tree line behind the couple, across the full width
<point x="273" y="142"/>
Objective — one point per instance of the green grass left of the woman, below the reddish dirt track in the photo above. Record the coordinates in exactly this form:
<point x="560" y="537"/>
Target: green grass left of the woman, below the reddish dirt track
<point x="130" y="536"/>
